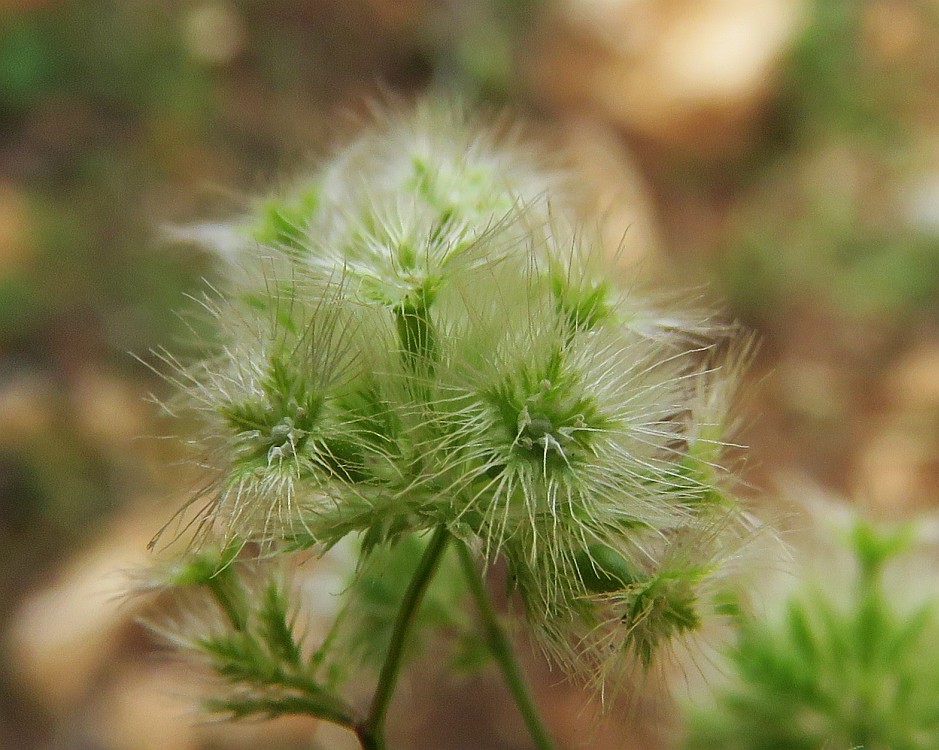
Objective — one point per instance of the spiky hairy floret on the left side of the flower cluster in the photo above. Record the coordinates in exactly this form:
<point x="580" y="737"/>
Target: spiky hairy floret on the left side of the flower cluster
<point x="292" y="412"/>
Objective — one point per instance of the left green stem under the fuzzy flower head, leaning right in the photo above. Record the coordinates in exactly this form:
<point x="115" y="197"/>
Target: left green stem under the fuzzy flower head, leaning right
<point x="371" y="731"/>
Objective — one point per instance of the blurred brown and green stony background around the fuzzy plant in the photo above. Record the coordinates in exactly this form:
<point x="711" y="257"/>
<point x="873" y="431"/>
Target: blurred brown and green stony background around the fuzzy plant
<point x="778" y="158"/>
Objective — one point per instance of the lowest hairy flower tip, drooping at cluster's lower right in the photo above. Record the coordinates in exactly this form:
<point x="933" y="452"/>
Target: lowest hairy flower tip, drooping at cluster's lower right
<point x="632" y="623"/>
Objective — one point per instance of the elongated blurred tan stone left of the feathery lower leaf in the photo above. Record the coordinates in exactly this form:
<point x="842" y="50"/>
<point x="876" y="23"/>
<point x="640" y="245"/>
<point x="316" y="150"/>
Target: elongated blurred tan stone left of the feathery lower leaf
<point x="62" y="635"/>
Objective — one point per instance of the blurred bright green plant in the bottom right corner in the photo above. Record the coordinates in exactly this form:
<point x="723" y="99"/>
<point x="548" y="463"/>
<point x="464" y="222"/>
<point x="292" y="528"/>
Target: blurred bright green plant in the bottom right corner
<point x="855" y="668"/>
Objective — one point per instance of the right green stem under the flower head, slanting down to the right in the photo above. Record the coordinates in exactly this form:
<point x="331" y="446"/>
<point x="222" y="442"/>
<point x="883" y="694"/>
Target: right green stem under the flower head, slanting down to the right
<point x="501" y="649"/>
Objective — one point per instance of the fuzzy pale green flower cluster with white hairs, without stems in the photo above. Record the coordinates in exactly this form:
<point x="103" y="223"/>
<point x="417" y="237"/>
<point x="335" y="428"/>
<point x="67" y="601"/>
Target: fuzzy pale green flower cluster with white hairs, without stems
<point x="422" y="333"/>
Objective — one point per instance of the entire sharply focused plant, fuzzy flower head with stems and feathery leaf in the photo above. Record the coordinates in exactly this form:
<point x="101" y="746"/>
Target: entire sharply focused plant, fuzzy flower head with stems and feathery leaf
<point x="422" y="353"/>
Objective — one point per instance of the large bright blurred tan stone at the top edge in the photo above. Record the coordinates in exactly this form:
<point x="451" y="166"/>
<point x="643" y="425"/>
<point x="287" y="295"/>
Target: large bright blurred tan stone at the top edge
<point x="689" y="74"/>
